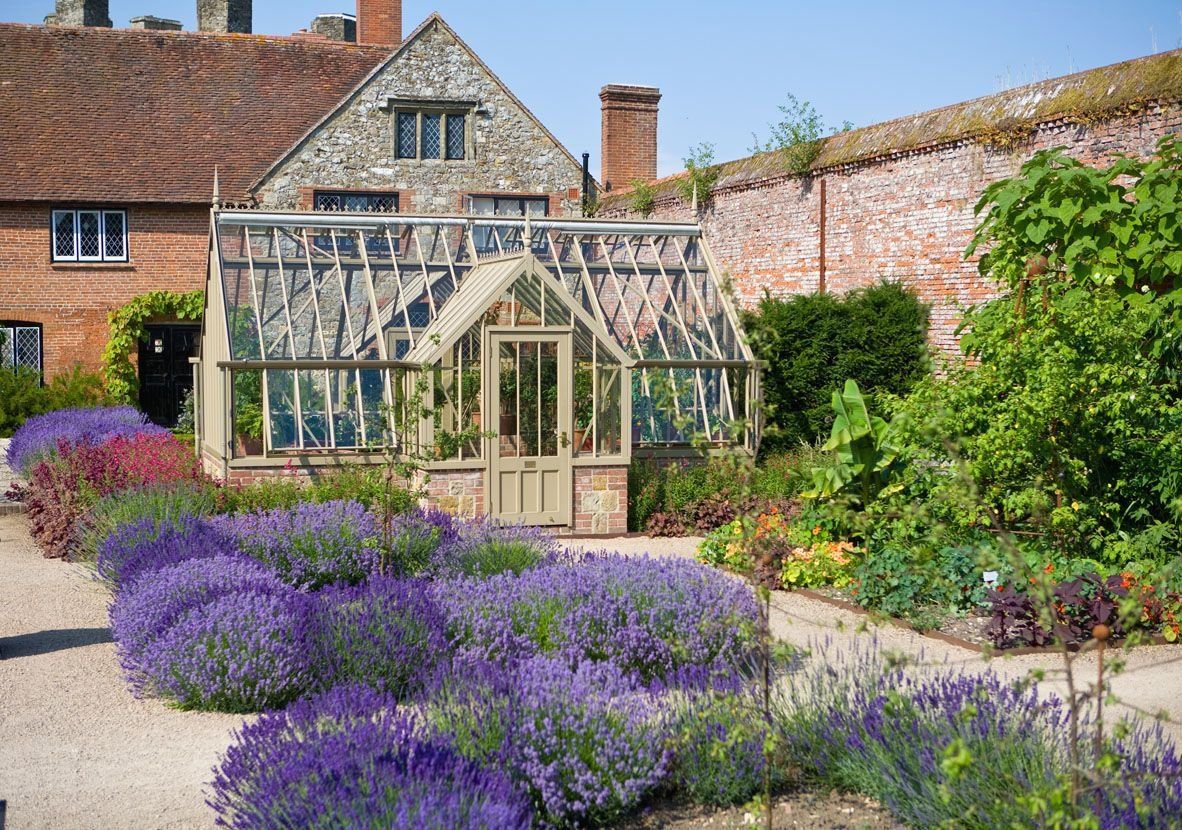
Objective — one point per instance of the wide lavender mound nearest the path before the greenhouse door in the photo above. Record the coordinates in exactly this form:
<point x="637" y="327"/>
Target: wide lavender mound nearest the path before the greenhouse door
<point x="670" y="621"/>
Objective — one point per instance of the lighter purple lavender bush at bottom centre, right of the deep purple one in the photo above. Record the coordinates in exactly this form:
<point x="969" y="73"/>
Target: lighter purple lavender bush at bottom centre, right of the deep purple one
<point x="589" y="742"/>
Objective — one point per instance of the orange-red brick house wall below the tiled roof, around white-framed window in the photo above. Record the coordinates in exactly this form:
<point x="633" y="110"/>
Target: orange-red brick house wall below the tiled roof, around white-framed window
<point x="168" y="250"/>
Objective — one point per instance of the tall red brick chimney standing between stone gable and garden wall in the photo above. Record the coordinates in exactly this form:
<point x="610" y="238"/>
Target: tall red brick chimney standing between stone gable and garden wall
<point x="629" y="134"/>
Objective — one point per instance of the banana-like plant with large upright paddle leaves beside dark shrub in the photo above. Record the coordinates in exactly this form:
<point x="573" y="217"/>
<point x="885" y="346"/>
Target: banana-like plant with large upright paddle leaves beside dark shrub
<point x="865" y="455"/>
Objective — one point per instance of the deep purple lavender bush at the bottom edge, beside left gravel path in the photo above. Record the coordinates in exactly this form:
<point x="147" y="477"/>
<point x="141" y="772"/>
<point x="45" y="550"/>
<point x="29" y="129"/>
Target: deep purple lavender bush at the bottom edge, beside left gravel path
<point x="350" y="758"/>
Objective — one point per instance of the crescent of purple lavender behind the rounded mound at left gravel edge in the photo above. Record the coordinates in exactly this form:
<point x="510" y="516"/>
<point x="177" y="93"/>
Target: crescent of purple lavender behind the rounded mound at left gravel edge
<point x="148" y="606"/>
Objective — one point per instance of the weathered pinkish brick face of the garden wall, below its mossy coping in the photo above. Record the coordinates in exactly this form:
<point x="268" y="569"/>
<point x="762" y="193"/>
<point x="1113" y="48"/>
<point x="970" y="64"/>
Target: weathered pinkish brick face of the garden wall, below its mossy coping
<point x="907" y="217"/>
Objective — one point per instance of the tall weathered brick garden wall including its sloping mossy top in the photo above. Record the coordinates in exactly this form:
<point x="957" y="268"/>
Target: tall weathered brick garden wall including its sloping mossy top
<point x="897" y="200"/>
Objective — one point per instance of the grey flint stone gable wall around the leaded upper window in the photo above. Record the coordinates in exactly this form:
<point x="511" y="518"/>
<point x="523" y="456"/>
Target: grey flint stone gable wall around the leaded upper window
<point x="354" y="148"/>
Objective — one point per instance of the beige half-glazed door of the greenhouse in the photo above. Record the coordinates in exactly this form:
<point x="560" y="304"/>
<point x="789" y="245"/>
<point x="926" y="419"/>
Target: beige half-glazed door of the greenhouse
<point x="530" y="458"/>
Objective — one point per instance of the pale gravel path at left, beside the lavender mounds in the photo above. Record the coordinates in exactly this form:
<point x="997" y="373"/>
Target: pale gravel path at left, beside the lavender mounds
<point x="76" y="749"/>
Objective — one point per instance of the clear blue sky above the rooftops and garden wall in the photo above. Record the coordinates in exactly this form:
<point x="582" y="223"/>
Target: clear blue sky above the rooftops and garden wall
<point x="725" y="67"/>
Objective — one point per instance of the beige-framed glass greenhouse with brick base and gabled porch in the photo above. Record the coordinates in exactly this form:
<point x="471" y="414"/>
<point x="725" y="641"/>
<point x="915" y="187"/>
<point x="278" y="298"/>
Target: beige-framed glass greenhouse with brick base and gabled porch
<point x="522" y="362"/>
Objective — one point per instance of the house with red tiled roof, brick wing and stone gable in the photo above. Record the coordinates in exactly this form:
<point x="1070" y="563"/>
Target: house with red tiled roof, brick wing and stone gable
<point x="112" y="141"/>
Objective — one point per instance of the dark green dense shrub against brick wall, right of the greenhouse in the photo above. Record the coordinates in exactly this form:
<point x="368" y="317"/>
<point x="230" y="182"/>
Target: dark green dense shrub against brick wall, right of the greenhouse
<point x="814" y="343"/>
